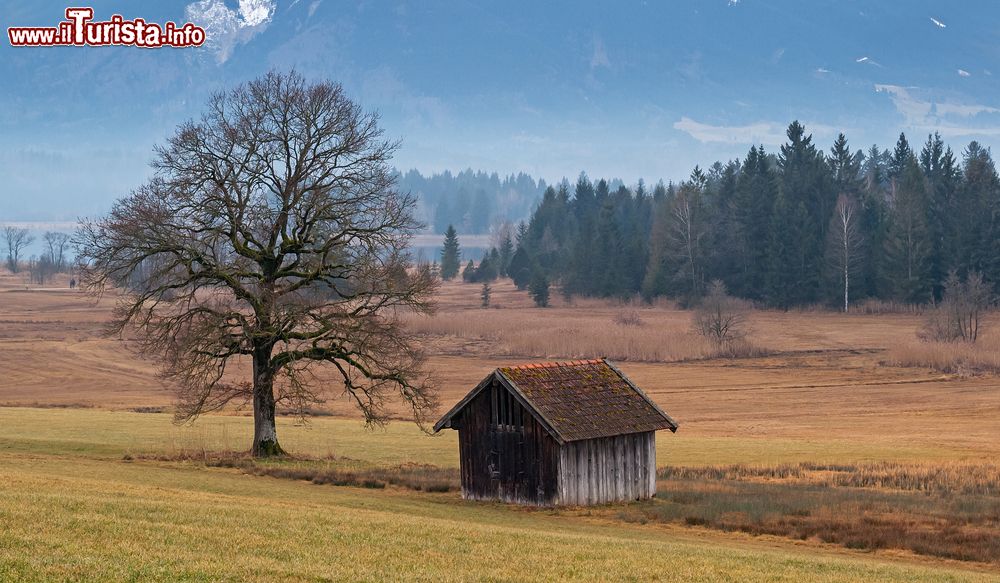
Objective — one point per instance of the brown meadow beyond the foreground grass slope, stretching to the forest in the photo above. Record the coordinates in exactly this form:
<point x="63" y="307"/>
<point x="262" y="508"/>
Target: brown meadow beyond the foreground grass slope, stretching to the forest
<point x="833" y="430"/>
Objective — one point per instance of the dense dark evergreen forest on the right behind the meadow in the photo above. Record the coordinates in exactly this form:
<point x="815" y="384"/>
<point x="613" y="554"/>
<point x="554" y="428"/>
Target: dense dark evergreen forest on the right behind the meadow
<point x="797" y="227"/>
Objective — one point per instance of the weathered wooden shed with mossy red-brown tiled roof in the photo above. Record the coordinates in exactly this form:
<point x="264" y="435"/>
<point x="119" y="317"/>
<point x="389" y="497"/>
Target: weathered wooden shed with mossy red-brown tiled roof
<point x="557" y="433"/>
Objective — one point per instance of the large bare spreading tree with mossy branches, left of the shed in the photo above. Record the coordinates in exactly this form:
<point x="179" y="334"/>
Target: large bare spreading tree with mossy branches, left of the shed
<point x="271" y="232"/>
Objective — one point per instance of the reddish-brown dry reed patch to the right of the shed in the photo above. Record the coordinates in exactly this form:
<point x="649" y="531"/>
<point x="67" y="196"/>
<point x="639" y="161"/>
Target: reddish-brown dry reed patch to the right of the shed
<point x="949" y="510"/>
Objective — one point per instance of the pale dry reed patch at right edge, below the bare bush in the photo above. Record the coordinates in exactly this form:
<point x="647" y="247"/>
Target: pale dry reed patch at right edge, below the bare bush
<point x="950" y="357"/>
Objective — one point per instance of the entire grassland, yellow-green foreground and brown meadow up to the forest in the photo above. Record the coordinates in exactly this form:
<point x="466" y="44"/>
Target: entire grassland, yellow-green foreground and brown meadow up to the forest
<point x="823" y="459"/>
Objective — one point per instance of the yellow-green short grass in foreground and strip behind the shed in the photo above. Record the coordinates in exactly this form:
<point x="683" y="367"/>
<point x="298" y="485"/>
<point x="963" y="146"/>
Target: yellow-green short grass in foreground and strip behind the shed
<point x="73" y="509"/>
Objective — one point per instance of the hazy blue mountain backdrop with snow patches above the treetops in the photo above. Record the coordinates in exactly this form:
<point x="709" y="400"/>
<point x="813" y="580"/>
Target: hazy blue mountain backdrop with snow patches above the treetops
<point x="618" y="89"/>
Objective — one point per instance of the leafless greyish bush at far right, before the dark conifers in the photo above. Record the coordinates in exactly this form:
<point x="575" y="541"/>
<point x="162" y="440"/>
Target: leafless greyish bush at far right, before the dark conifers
<point x="959" y="316"/>
